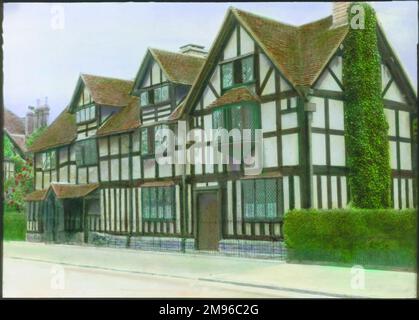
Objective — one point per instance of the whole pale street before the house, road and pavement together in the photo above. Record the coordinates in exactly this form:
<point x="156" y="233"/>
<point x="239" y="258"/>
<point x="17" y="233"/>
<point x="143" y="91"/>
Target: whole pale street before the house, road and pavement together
<point x="46" y="270"/>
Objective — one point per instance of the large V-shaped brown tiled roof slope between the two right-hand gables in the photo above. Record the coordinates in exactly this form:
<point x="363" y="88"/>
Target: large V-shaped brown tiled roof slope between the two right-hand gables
<point x="301" y="52"/>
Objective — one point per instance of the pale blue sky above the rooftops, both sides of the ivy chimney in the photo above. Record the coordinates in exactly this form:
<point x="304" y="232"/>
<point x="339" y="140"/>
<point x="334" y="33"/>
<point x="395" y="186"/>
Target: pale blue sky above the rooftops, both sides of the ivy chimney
<point x="47" y="46"/>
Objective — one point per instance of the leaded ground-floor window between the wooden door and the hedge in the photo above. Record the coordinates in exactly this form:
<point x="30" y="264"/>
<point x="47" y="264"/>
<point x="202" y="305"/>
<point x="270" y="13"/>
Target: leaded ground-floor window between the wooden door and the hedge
<point x="260" y="200"/>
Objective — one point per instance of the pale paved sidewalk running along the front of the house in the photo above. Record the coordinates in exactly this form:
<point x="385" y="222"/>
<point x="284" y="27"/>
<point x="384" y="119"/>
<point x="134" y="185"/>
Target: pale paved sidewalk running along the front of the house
<point x="297" y="280"/>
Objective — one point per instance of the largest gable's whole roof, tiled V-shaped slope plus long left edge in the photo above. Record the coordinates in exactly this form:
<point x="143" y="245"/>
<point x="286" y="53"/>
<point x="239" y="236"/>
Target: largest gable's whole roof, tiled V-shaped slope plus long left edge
<point x="299" y="53"/>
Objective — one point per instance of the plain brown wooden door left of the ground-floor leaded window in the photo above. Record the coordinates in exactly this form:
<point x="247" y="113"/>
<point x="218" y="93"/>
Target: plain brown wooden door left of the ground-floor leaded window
<point x="208" y="221"/>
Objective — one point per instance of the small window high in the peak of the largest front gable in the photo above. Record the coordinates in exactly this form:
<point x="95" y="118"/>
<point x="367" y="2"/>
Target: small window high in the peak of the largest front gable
<point x="237" y="72"/>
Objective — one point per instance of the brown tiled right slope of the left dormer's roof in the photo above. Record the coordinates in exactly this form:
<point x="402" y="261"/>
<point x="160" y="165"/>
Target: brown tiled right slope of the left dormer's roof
<point x="108" y="91"/>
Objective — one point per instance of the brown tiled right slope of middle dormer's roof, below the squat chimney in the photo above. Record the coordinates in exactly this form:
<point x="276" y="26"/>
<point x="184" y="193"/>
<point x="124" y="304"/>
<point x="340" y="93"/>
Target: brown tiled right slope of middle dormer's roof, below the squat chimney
<point x="179" y="67"/>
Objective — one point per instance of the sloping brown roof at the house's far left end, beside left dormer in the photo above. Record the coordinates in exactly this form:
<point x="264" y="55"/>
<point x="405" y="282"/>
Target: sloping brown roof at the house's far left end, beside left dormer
<point x="62" y="131"/>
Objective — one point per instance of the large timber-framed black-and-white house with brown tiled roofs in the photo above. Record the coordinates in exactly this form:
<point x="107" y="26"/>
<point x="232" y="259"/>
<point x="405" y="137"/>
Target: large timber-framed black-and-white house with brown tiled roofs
<point x="97" y="179"/>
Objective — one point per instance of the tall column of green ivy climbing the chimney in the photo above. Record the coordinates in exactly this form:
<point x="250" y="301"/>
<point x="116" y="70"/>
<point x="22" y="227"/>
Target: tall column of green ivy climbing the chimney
<point x="366" y="131"/>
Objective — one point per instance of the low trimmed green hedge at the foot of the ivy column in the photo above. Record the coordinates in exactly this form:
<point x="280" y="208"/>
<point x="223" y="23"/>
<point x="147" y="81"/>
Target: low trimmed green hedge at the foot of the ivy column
<point x="367" y="237"/>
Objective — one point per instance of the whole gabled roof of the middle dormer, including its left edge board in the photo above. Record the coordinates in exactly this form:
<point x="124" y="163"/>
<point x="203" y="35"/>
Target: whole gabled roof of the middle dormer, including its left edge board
<point x="178" y="68"/>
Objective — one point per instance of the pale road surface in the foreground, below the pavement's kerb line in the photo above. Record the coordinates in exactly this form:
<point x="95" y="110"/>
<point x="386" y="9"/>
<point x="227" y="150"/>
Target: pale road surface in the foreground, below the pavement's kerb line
<point x="25" y="278"/>
